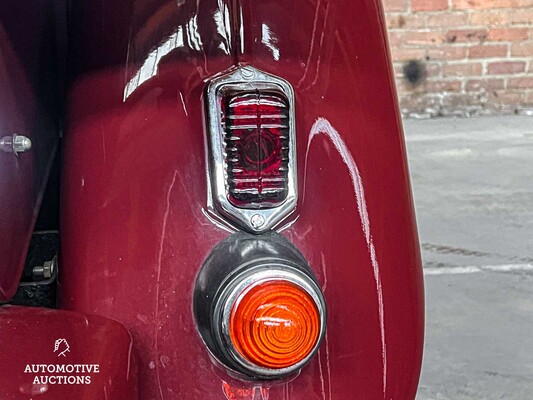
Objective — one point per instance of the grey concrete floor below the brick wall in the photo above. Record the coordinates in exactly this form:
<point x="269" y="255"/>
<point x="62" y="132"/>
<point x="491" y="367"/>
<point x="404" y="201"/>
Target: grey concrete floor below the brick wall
<point x="473" y="186"/>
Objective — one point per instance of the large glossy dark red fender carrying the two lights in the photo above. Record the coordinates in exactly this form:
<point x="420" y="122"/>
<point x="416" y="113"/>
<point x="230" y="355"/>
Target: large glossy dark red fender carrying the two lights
<point x="135" y="228"/>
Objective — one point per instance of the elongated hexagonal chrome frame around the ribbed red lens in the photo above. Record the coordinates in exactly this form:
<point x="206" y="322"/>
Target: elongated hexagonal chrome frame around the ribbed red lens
<point x="242" y="79"/>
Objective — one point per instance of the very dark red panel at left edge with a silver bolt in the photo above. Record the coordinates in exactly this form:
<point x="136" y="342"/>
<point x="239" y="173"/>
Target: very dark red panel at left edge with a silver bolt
<point x="27" y="101"/>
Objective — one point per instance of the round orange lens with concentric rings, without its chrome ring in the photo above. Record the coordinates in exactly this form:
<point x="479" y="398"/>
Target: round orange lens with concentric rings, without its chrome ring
<point x="275" y="324"/>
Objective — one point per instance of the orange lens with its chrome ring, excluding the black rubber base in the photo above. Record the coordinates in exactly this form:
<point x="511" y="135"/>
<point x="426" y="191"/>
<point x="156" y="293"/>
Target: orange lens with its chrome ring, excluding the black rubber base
<point x="272" y="319"/>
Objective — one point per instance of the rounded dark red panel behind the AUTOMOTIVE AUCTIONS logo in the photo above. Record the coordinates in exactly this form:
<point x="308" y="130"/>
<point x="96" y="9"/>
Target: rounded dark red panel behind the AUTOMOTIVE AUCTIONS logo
<point x="28" y="336"/>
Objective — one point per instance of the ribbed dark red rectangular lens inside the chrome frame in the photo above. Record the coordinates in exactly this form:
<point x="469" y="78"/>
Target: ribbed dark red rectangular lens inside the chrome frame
<point x="256" y="126"/>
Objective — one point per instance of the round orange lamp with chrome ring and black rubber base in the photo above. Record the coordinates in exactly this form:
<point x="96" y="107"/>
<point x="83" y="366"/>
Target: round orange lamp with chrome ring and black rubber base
<point x="258" y="307"/>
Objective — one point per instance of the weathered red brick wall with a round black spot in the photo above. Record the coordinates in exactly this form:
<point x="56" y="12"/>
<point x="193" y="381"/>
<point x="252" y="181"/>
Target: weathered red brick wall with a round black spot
<point x="462" y="57"/>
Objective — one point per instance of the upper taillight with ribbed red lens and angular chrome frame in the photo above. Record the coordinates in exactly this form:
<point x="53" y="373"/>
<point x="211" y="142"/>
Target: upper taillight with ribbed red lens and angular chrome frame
<point x="252" y="154"/>
